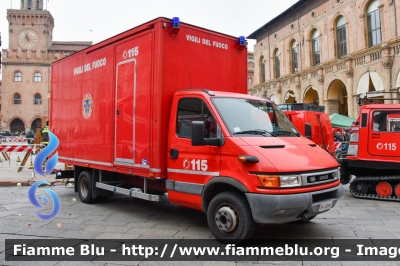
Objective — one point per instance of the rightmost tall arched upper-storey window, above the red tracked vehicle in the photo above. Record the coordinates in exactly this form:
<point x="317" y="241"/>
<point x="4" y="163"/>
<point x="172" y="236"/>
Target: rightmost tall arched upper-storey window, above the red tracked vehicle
<point x="374" y="24"/>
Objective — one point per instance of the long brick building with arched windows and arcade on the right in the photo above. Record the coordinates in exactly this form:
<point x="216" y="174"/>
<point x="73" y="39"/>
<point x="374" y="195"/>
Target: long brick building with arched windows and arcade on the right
<point x="329" y="52"/>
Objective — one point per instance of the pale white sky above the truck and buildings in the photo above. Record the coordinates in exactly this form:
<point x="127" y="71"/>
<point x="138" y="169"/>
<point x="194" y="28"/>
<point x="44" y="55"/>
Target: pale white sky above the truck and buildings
<point x="74" y="19"/>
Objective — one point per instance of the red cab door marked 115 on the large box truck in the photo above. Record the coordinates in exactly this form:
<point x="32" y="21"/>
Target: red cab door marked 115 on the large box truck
<point x="190" y="167"/>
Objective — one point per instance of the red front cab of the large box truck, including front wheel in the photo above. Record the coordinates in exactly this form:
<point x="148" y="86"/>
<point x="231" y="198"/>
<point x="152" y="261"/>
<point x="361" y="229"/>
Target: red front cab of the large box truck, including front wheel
<point x="245" y="149"/>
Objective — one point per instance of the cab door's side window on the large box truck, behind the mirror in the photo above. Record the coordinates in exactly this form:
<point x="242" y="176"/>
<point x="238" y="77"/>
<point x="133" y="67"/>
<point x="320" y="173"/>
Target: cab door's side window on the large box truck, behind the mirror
<point x="193" y="109"/>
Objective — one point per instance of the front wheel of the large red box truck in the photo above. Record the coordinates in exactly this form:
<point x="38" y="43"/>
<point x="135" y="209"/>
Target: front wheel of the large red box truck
<point x="233" y="205"/>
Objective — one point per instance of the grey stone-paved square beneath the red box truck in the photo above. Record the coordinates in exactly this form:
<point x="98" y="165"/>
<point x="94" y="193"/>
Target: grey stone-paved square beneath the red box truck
<point x="121" y="217"/>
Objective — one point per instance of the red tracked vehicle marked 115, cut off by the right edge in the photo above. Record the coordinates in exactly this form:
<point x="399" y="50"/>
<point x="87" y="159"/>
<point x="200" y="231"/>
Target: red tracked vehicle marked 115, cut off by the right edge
<point x="374" y="155"/>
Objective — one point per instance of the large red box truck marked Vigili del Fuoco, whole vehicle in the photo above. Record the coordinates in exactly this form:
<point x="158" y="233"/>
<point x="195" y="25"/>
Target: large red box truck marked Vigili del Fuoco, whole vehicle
<point x="130" y="122"/>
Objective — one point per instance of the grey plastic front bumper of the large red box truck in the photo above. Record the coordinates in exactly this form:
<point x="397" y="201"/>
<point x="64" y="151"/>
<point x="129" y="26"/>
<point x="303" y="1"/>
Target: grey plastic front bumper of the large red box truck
<point x="287" y="208"/>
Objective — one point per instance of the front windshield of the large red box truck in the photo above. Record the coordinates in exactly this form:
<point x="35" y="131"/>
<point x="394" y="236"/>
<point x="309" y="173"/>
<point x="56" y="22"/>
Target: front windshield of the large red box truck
<point x="253" y="117"/>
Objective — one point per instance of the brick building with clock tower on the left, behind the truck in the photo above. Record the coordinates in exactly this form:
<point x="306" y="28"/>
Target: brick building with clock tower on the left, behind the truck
<point x="26" y="66"/>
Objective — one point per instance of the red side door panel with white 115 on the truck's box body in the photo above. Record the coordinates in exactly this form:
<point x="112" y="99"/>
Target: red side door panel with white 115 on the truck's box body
<point x="132" y="101"/>
